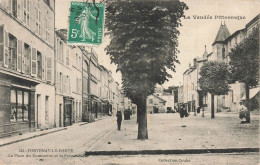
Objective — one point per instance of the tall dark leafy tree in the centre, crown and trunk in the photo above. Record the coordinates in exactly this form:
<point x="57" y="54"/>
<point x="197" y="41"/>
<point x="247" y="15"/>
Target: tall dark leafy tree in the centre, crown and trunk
<point x="143" y="45"/>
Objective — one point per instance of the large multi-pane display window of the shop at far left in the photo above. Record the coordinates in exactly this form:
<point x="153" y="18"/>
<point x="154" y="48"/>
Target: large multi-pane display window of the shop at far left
<point x="19" y="105"/>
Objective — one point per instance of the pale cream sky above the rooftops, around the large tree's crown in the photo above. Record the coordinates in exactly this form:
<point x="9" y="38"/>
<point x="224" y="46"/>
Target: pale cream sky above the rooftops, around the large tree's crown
<point x="194" y="34"/>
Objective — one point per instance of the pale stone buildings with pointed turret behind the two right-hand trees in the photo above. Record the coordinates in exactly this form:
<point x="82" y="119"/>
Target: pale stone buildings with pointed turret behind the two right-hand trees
<point x="224" y="41"/>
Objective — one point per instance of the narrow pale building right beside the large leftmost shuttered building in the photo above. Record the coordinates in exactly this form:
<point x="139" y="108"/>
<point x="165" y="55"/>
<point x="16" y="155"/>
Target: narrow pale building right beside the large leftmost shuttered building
<point x="68" y="84"/>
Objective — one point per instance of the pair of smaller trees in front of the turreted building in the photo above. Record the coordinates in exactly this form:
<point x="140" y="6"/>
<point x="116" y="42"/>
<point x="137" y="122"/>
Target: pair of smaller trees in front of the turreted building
<point x="243" y="67"/>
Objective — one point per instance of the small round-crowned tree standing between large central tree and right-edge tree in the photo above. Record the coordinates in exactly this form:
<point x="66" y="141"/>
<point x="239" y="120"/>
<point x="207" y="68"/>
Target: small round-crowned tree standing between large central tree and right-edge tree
<point x="214" y="79"/>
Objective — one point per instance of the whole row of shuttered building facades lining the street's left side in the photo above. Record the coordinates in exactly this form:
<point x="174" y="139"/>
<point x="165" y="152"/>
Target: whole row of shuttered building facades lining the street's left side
<point x="44" y="82"/>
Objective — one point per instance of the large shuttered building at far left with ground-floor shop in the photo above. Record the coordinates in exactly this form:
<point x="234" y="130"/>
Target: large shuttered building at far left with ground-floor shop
<point x="26" y="66"/>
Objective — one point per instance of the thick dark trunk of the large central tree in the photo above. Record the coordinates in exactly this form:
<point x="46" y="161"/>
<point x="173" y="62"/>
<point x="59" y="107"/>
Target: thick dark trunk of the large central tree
<point x="142" y="120"/>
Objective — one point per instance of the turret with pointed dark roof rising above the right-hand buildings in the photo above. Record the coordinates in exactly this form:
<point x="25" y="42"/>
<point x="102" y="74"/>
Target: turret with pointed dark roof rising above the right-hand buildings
<point x="219" y="46"/>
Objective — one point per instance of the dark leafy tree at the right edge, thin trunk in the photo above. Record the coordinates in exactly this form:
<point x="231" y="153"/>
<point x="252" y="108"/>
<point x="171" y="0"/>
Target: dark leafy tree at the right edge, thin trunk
<point x="244" y="63"/>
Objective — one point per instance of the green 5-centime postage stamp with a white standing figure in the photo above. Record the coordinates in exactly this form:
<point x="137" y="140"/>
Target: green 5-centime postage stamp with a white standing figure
<point x="86" y="23"/>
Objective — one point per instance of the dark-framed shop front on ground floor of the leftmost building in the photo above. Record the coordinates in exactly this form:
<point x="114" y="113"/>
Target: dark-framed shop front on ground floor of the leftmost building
<point x="17" y="105"/>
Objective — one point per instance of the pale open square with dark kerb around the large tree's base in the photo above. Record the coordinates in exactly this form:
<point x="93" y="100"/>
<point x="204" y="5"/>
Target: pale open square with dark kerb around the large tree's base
<point x="165" y="133"/>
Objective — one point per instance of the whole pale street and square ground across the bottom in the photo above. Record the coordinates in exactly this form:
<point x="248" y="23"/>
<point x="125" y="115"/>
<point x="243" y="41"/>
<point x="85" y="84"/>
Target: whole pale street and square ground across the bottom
<point x="165" y="133"/>
